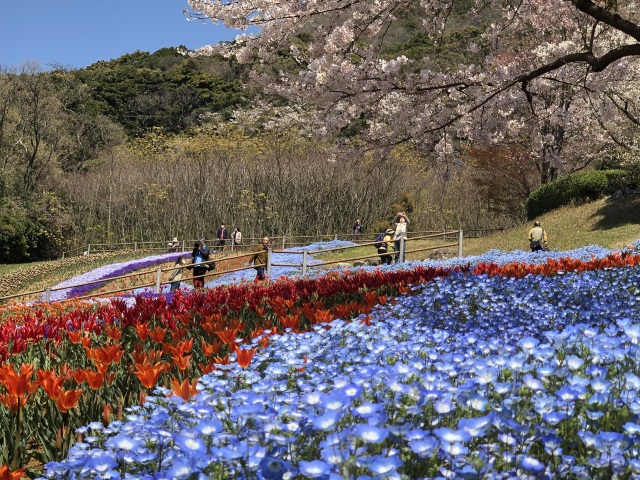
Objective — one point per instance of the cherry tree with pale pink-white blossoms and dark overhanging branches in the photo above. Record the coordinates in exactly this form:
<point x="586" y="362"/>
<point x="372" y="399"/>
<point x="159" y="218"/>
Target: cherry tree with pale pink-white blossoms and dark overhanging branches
<point x="553" y="73"/>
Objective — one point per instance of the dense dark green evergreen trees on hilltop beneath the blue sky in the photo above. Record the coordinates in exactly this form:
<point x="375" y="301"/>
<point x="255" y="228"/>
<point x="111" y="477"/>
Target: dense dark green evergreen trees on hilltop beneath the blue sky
<point x="143" y="91"/>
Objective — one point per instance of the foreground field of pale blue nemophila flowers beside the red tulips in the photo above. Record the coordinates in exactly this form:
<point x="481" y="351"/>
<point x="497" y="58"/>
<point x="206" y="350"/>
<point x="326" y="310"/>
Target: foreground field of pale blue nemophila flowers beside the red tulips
<point x="470" y="377"/>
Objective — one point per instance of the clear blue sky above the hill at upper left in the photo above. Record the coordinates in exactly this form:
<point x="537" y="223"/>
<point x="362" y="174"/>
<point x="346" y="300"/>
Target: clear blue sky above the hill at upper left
<point x="76" y="33"/>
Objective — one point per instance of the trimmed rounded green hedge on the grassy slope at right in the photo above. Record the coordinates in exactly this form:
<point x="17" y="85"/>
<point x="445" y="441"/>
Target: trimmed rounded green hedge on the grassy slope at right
<point x="575" y="188"/>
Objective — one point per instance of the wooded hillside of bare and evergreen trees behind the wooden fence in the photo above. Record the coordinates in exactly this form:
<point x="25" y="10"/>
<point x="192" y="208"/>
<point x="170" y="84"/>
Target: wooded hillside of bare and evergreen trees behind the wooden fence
<point x="155" y="145"/>
